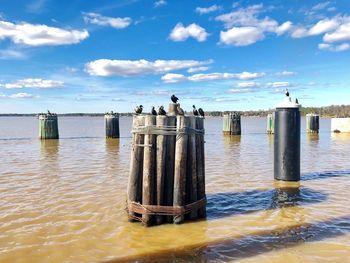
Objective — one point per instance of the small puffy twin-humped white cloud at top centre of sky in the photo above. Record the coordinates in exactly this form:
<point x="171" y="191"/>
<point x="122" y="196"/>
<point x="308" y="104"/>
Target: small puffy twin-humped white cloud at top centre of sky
<point x="181" y="33"/>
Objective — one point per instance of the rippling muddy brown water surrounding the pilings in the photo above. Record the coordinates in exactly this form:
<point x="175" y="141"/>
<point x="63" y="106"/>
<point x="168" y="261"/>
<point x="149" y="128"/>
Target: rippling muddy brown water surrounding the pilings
<point x="63" y="201"/>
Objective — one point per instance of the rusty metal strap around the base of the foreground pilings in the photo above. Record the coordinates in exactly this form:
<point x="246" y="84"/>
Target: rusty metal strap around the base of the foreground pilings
<point x="138" y="208"/>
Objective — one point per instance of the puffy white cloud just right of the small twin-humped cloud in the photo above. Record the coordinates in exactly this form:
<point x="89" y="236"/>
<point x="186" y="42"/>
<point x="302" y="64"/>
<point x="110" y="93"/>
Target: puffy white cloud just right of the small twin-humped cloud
<point x="241" y="36"/>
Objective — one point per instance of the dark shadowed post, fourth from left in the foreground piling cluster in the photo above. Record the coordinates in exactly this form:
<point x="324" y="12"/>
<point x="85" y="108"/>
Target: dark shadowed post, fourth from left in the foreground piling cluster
<point x="170" y="167"/>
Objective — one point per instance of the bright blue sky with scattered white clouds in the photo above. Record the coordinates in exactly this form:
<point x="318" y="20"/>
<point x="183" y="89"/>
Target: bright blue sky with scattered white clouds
<point x="97" y="56"/>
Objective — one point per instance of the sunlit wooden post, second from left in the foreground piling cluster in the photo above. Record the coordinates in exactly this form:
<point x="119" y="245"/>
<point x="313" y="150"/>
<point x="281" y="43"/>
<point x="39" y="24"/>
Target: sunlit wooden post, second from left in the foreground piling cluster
<point x="149" y="161"/>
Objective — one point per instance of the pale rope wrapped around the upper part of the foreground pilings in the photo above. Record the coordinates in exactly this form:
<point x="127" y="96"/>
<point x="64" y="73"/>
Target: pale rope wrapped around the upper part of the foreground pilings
<point x="165" y="130"/>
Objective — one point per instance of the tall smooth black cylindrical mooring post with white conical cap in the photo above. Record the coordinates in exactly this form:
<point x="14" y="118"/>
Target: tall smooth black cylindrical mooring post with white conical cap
<point x="287" y="141"/>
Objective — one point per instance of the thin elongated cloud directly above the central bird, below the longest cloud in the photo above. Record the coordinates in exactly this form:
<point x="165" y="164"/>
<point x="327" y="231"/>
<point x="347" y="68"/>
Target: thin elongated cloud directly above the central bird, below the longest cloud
<point x="174" y="78"/>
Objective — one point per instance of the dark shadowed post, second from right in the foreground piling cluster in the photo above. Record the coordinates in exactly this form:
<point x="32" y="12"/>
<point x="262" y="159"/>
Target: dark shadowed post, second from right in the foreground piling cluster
<point x="191" y="179"/>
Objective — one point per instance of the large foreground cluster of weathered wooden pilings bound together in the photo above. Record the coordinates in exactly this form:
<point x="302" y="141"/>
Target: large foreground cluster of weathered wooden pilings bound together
<point x="167" y="178"/>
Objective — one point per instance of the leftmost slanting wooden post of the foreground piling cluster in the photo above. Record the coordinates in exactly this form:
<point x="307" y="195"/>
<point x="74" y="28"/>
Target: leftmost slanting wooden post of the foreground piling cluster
<point x="134" y="191"/>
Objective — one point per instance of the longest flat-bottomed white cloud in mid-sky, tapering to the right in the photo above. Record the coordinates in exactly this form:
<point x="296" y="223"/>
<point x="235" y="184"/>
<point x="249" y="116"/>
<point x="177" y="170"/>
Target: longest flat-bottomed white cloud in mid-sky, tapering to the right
<point x="126" y="68"/>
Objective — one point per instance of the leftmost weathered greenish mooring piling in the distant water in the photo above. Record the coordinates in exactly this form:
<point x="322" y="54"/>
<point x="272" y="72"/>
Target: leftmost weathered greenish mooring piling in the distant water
<point x="48" y="126"/>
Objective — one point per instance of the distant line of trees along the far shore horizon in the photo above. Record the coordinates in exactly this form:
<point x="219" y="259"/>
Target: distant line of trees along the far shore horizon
<point x="340" y="111"/>
